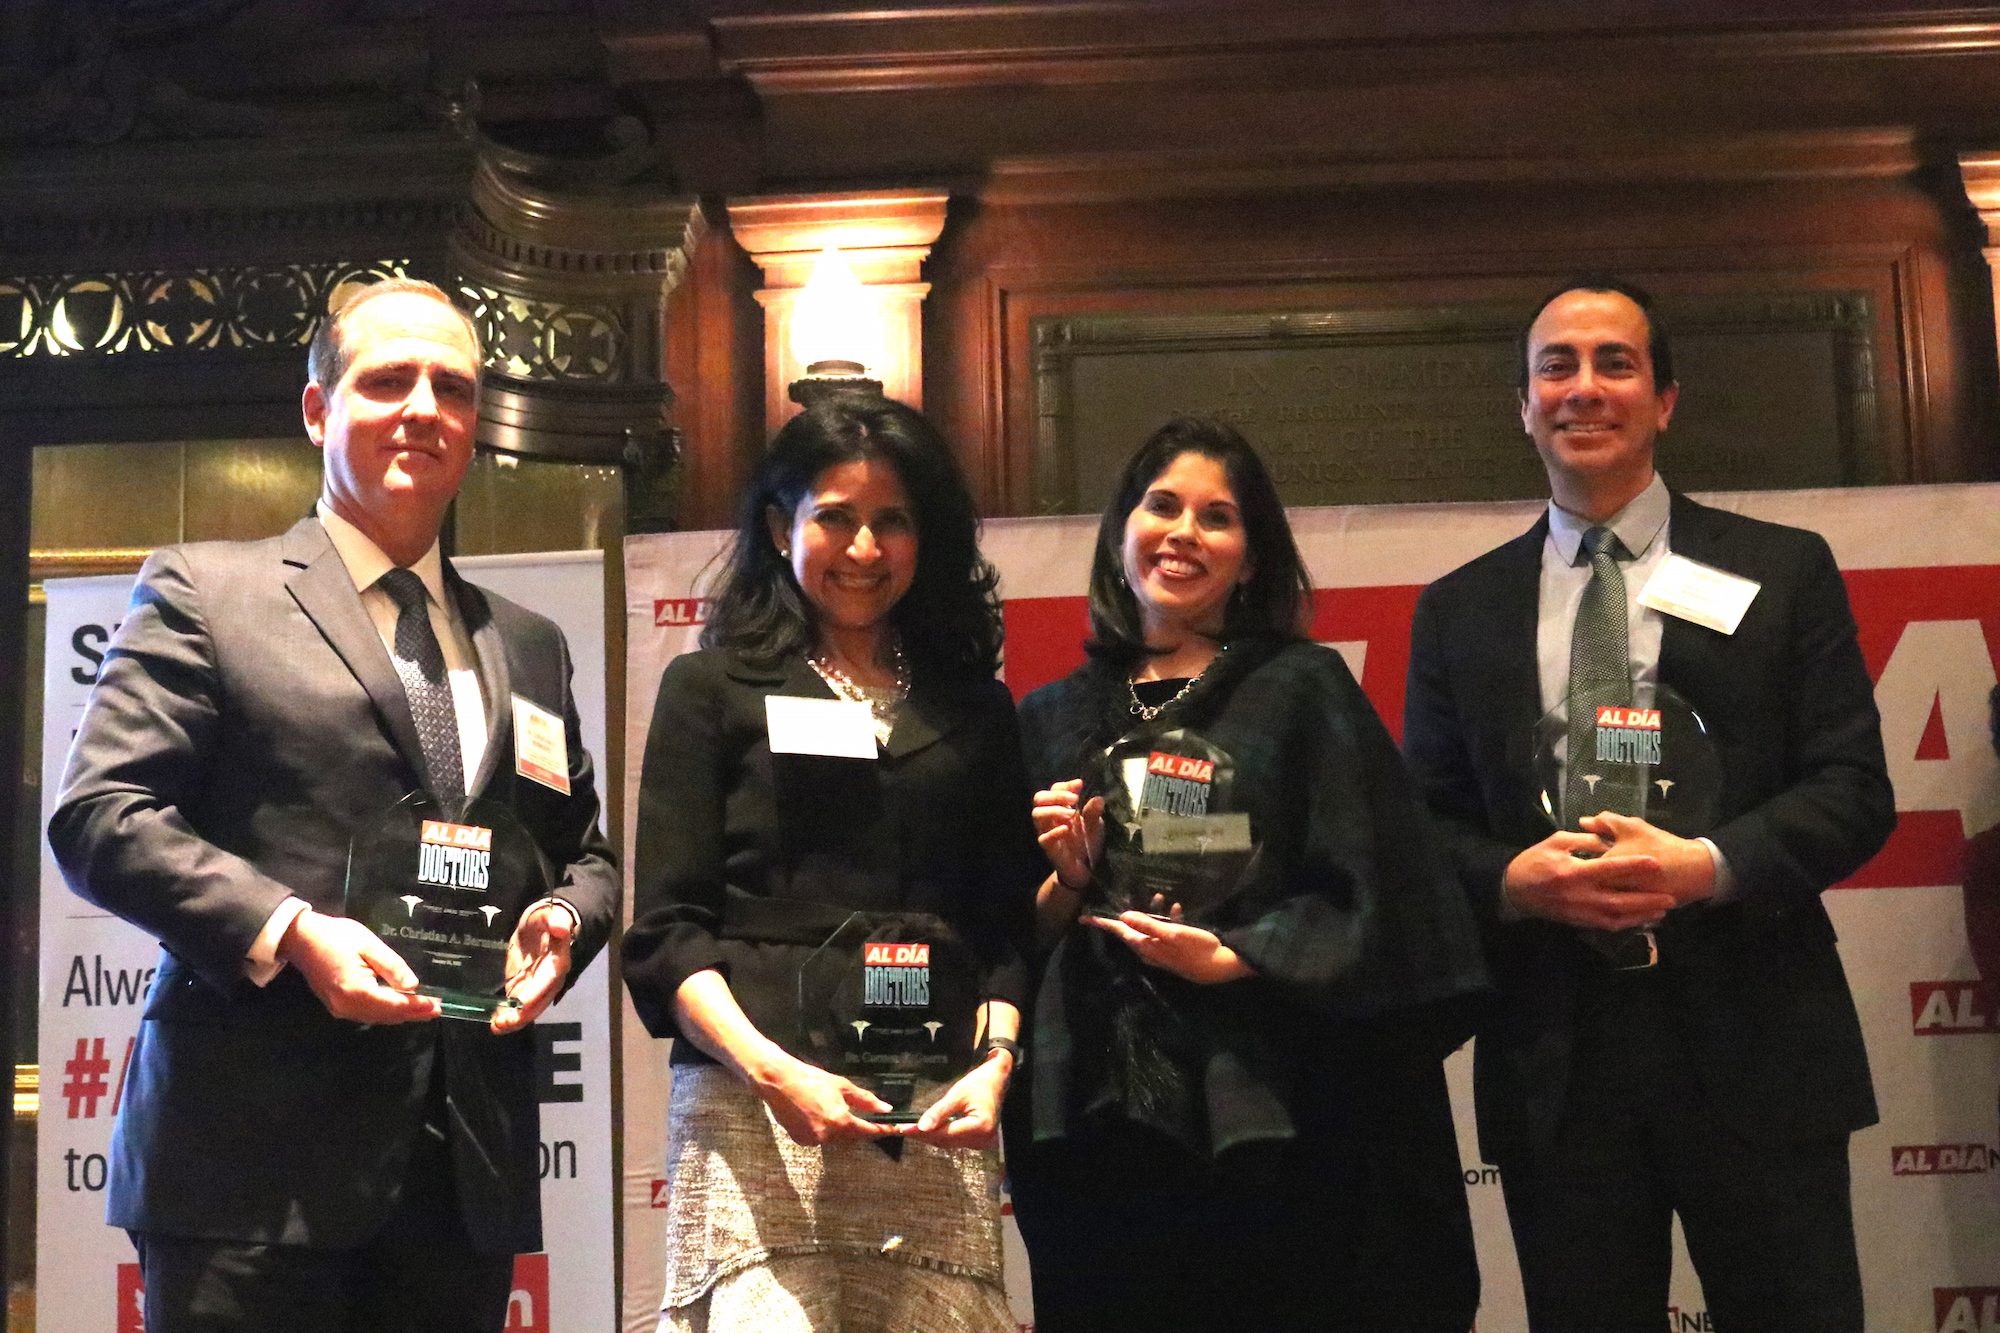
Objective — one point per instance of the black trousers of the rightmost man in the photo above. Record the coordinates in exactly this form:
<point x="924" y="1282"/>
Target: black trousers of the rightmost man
<point x="1771" y="1230"/>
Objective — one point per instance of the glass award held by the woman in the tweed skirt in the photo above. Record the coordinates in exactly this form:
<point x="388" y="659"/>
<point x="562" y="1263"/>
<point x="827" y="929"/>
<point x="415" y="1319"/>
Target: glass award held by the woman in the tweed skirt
<point x="891" y="1004"/>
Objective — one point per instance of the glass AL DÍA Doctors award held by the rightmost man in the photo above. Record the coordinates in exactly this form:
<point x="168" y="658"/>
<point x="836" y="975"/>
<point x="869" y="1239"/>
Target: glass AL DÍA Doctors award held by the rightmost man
<point x="1641" y="752"/>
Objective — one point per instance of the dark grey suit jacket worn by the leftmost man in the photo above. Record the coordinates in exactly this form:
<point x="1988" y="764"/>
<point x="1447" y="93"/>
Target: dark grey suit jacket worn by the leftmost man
<point x="245" y="726"/>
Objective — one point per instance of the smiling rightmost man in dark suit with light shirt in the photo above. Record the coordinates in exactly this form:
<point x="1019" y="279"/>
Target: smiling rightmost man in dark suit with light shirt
<point x="1723" y="1082"/>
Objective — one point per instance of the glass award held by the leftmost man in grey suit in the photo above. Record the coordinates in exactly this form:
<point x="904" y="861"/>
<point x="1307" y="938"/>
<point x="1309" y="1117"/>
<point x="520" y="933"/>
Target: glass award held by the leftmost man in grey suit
<point x="447" y="896"/>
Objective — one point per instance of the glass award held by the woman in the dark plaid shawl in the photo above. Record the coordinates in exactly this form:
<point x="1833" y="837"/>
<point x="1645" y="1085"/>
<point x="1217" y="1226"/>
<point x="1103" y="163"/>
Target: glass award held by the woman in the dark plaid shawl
<point x="1173" y="836"/>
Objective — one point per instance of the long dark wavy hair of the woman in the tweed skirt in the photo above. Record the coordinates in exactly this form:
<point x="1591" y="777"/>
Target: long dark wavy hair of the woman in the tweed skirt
<point x="951" y="615"/>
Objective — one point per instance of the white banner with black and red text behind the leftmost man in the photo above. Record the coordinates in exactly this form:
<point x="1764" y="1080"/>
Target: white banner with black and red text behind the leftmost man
<point x="95" y="976"/>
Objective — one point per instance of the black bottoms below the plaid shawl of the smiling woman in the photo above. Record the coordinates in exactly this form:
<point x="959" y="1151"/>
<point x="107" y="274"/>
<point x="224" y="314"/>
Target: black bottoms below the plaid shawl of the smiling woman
<point x="1357" y="1226"/>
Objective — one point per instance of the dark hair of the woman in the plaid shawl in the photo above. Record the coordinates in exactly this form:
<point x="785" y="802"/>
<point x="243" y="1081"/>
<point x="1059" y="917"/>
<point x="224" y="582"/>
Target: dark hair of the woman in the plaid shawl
<point x="1273" y="601"/>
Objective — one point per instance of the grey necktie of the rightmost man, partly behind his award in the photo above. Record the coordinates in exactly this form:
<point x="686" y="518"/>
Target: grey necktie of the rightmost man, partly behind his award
<point x="1601" y="678"/>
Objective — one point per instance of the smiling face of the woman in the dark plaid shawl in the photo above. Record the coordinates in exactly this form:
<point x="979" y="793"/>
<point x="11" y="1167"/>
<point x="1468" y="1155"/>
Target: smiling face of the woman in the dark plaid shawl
<point x="1185" y="547"/>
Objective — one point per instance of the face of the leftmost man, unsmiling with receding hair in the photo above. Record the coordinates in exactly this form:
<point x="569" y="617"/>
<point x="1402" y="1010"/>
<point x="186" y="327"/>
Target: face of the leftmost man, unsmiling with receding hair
<point x="397" y="429"/>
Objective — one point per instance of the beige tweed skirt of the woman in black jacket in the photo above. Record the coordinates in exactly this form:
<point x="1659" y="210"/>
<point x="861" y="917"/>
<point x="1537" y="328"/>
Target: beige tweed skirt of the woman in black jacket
<point x="775" y="1238"/>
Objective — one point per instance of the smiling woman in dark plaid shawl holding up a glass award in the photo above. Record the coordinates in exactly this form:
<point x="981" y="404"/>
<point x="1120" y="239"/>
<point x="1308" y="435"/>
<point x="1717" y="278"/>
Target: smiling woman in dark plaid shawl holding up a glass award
<point x="1237" y="1120"/>
